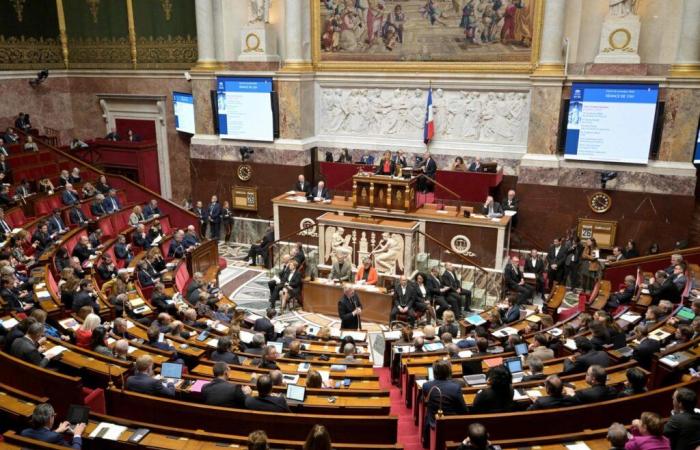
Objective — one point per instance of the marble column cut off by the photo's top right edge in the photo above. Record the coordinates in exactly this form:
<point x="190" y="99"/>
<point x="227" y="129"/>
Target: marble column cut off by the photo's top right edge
<point x="688" y="56"/>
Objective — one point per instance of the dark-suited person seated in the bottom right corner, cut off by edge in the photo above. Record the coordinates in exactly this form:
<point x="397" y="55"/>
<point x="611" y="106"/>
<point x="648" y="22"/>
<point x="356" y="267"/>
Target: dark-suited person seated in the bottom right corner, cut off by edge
<point x="683" y="428"/>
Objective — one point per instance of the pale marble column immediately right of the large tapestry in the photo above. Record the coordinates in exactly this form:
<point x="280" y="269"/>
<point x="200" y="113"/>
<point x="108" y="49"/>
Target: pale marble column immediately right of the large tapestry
<point x="551" y="59"/>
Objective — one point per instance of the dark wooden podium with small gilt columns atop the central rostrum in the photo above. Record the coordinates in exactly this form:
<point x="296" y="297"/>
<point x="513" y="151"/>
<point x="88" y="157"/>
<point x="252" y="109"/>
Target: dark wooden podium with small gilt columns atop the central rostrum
<point x="384" y="192"/>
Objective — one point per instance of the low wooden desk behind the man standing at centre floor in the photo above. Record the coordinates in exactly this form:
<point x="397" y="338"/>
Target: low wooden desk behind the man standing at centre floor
<point x="322" y="298"/>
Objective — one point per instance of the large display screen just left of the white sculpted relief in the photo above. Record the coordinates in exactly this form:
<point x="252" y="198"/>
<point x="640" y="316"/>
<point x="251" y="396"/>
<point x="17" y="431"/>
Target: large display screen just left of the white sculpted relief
<point x="244" y="108"/>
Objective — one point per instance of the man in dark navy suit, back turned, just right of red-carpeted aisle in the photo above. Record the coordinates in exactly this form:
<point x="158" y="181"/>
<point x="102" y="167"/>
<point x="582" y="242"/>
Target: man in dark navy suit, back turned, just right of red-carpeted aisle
<point x="442" y="393"/>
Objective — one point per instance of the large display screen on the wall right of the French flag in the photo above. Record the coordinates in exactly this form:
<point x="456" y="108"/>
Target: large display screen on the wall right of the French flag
<point x="611" y="122"/>
